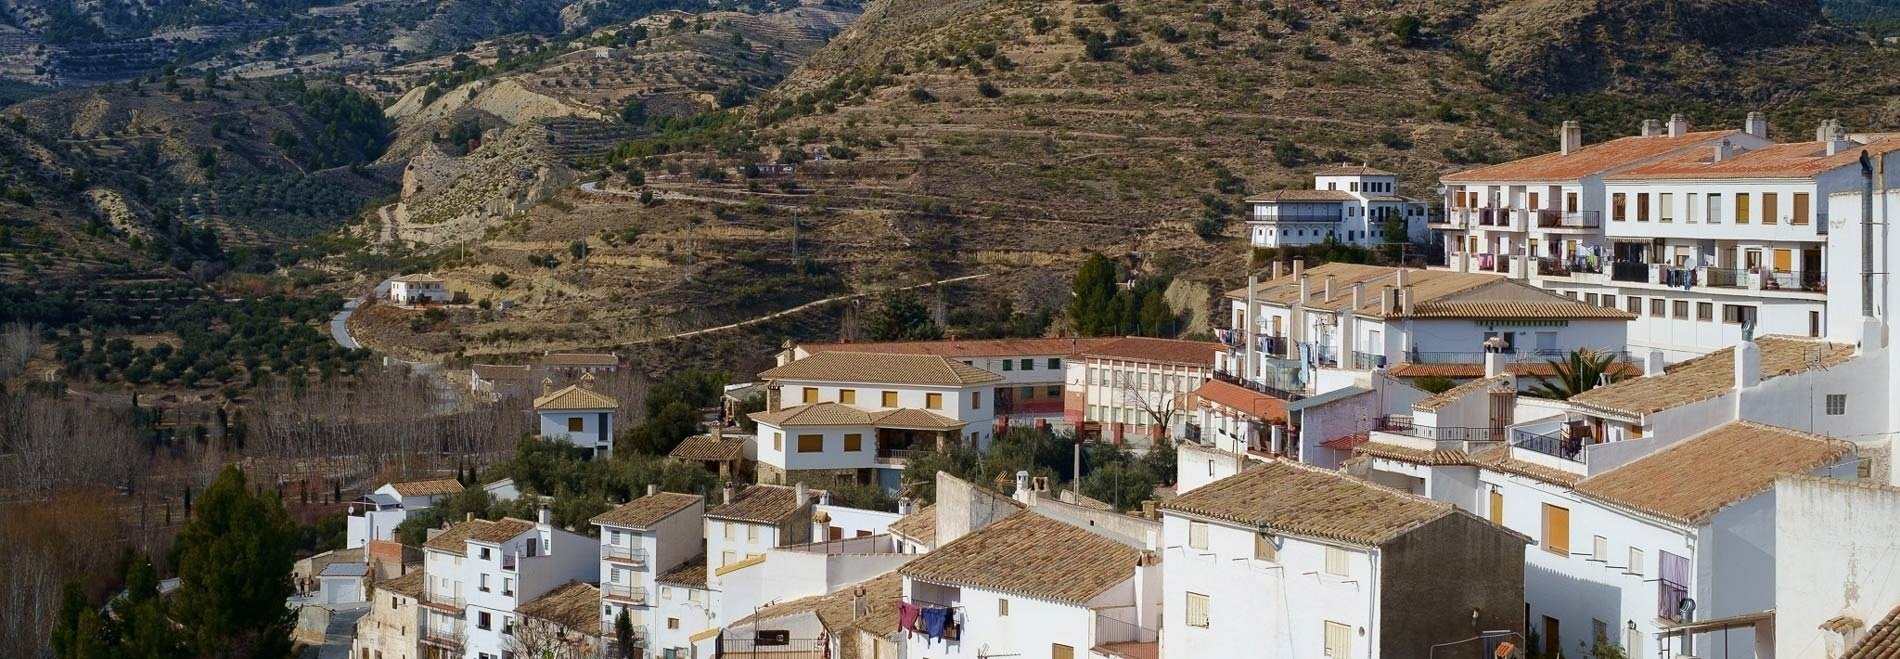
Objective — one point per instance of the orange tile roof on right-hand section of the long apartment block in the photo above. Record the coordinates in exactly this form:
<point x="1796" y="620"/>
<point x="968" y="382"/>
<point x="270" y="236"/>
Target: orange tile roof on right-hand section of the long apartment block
<point x="1800" y="160"/>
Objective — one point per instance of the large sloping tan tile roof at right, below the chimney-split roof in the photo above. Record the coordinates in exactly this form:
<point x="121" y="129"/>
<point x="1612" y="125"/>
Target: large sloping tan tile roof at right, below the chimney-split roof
<point x="1701" y="476"/>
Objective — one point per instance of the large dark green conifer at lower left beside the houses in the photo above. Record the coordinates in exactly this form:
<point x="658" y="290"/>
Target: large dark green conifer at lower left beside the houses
<point x="235" y="573"/>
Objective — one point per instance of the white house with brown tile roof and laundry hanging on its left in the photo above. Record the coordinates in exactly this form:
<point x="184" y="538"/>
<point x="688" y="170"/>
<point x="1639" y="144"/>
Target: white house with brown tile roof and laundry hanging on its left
<point x="1031" y="586"/>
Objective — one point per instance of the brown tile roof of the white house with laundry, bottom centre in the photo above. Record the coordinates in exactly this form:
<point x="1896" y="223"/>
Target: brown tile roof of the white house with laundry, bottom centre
<point x="1031" y="555"/>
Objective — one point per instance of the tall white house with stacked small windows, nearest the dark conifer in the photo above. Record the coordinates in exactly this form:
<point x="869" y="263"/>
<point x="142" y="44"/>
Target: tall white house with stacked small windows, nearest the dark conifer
<point x="478" y="573"/>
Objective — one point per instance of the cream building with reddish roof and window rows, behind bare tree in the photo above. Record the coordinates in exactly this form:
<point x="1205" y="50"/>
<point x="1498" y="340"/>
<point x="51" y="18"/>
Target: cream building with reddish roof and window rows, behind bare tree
<point x="1130" y="390"/>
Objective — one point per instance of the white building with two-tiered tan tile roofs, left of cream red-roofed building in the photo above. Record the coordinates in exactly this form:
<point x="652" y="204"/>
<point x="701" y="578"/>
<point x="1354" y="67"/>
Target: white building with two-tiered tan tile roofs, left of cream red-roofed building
<point x="856" y="417"/>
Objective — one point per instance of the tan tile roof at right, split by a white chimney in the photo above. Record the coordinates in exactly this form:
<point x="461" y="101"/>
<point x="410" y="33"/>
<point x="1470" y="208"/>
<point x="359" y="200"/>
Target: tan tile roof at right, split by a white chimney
<point x="1709" y="377"/>
